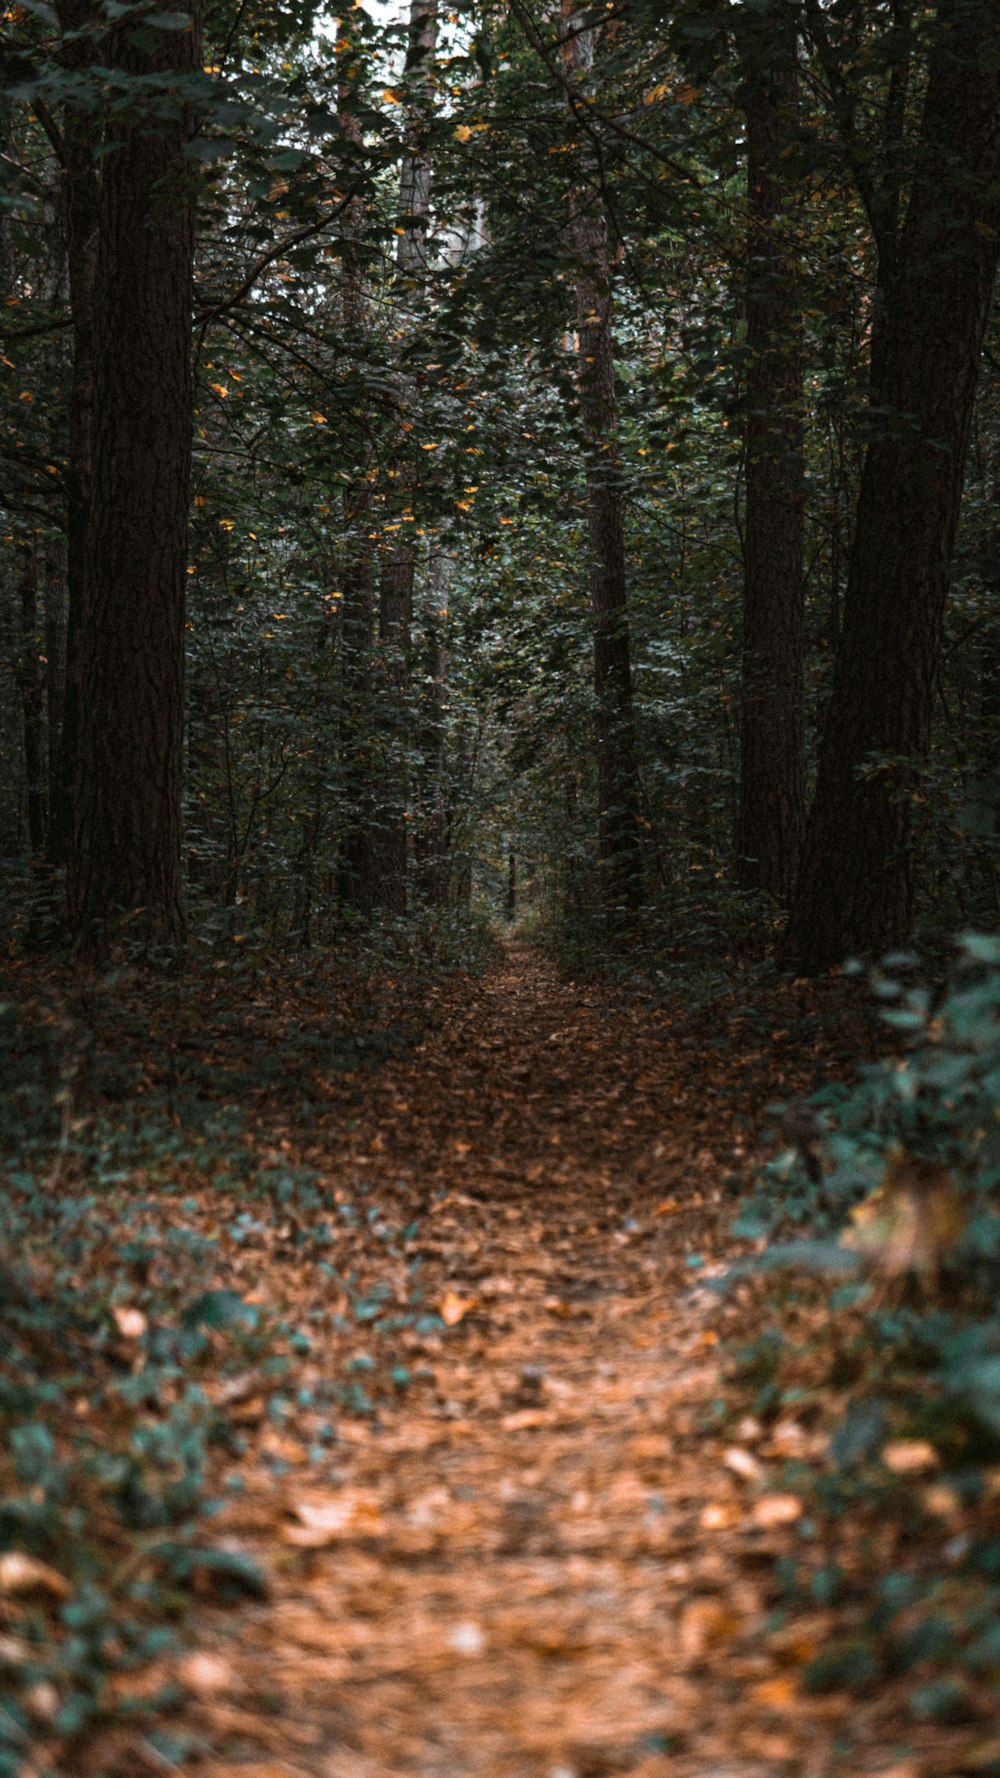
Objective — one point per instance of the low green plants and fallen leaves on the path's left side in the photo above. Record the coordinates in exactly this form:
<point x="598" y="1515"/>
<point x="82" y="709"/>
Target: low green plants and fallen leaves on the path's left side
<point x="134" y="1107"/>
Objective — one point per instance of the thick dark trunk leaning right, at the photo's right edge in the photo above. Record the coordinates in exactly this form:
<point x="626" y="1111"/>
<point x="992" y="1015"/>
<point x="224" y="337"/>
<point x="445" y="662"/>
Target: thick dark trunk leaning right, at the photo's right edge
<point x="855" y="892"/>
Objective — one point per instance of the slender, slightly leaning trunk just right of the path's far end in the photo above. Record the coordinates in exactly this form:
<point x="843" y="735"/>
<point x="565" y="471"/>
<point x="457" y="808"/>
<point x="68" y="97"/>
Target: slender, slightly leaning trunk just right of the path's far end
<point x="615" y="730"/>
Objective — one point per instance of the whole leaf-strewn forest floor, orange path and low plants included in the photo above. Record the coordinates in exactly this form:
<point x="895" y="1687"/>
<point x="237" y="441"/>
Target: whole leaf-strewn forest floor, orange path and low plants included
<point x="369" y="1409"/>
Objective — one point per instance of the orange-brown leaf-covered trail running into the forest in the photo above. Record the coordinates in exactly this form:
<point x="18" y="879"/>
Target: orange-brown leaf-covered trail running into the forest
<point x="533" y="1562"/>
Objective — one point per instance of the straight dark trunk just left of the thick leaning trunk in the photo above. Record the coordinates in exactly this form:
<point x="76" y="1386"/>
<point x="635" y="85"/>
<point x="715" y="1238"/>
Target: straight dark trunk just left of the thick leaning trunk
<point x="773" y="758"/>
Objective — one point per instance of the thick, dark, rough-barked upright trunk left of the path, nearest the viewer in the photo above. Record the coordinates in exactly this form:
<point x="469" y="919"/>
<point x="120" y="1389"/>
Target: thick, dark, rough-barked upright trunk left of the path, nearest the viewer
<point x="127" y="833"/>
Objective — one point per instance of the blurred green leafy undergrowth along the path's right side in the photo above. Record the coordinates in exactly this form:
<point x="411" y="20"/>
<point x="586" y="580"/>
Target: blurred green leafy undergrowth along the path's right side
<point x="894" y="1379"/>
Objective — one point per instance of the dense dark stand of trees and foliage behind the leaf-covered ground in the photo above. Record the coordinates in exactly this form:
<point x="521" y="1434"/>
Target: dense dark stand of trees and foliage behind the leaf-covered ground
<point x="520" y="493"/>
